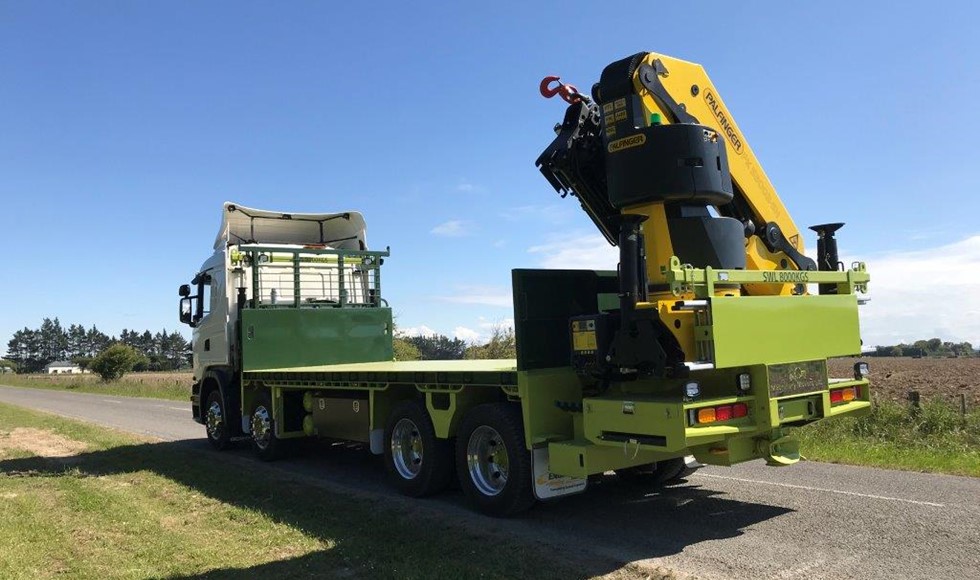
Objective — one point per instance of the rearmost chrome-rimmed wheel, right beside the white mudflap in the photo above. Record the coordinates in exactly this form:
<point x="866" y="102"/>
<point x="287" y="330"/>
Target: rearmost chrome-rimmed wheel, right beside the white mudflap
<point x="492" y="462"/>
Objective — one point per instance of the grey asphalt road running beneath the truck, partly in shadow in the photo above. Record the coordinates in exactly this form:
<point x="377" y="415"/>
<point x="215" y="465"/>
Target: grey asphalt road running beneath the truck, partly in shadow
<point x="812" y="520"/>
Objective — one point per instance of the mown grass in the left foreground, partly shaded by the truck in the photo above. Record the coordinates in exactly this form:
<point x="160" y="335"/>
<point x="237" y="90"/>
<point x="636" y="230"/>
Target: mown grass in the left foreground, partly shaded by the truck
<point x="125" y="508"/>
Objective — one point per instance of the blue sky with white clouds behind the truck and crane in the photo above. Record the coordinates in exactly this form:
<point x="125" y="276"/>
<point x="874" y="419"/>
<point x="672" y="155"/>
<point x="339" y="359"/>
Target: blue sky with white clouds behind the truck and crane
<point x="124" y="126"/>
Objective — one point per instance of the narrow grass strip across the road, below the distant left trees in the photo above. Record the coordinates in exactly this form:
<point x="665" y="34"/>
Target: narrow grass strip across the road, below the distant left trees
<point x="169" y="386"/>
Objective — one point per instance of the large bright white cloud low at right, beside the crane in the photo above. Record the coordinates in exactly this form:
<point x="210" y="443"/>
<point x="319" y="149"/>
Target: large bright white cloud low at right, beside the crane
<point x="924" y="294"/>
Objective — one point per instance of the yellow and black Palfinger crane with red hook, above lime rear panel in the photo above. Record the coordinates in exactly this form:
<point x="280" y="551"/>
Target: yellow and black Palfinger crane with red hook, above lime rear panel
<point x="649" y="143"/>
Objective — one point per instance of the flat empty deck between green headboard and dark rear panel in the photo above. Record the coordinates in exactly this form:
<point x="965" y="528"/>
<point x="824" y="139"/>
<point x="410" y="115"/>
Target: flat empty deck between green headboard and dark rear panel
<point x="498" y="372"/>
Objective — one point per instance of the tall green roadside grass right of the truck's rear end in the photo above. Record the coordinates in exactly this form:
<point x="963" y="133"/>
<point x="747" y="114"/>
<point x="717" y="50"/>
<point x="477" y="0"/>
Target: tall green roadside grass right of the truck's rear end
<point x="937" y="438"/>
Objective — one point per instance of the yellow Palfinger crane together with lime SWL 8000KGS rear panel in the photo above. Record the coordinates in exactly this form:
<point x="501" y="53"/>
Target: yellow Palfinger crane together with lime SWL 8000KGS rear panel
<point x="677" y="195"/>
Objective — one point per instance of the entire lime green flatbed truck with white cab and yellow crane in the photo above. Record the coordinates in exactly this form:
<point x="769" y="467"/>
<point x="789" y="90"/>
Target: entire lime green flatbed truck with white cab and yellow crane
<point x="707" y="343"/>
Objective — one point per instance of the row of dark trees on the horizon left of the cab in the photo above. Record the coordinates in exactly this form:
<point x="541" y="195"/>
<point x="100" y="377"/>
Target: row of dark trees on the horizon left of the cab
<point x="31" y="349"/>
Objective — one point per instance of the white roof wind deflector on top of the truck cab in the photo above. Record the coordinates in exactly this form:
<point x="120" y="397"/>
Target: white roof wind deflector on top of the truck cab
<point x="240" y="225"/>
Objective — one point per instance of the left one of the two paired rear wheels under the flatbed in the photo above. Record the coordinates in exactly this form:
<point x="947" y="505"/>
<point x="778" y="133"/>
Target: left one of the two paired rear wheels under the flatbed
<point x="418" y="463"/>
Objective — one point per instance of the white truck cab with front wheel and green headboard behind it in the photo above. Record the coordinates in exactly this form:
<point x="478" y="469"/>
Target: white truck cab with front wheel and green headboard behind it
<point x="267" y="261"/>
